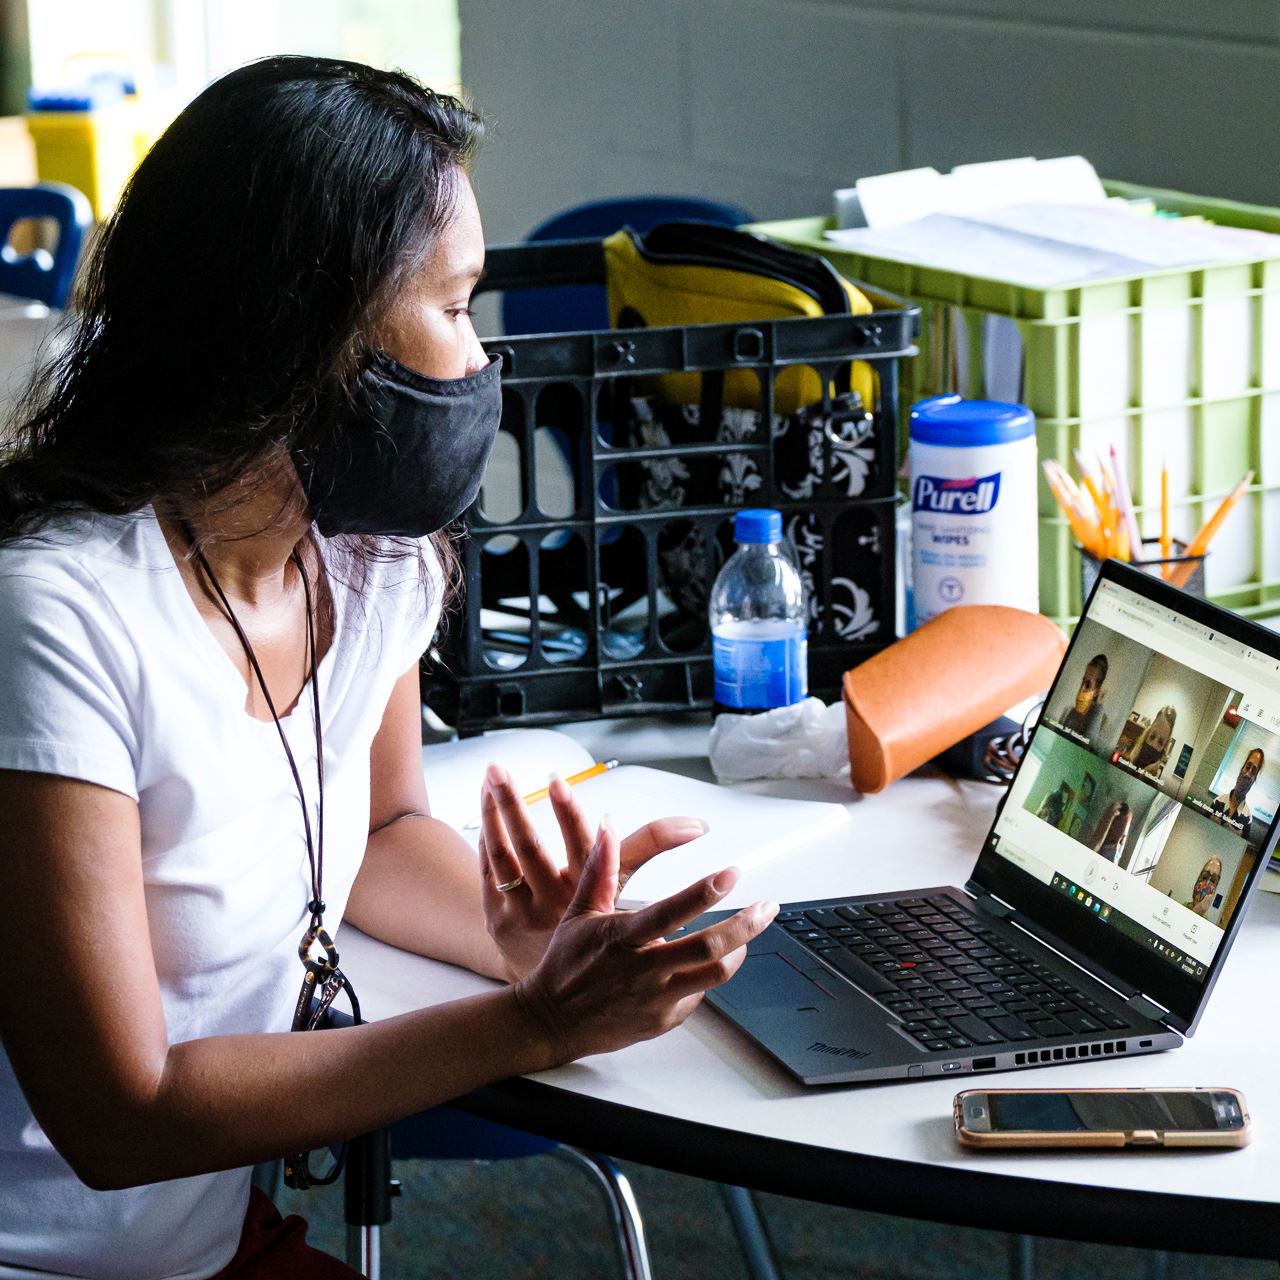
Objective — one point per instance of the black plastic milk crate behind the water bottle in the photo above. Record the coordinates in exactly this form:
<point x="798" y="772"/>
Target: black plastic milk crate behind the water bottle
<point x="607" y="513"/>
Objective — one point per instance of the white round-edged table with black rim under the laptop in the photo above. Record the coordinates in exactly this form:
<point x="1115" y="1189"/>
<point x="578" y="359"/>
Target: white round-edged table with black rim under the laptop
<point x="706" y="1101"/>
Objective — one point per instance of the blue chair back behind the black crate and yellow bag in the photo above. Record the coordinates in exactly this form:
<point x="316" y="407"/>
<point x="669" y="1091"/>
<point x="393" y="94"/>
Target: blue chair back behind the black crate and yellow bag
<point x="574" y="308"/>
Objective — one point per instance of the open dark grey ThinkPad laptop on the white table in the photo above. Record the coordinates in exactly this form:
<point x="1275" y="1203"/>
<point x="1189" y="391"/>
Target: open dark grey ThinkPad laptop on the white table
<point x="1107" y="895"/>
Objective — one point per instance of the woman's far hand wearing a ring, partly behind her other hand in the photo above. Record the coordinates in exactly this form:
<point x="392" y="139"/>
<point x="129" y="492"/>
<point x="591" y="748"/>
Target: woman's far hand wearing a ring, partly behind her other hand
<point x="523" y="920"/>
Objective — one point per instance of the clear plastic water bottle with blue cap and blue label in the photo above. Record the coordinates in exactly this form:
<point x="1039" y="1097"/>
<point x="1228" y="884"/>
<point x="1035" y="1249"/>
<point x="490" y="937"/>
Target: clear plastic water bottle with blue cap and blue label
<point x="760" y="643"/>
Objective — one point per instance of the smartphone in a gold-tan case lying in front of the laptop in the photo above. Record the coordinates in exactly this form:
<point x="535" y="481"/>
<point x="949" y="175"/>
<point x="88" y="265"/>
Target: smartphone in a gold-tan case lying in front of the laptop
<point x="1101" y="1118"/>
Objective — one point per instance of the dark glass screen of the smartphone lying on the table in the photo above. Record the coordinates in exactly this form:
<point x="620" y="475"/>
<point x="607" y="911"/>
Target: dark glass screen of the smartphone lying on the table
<point x="1089" y="1112"/>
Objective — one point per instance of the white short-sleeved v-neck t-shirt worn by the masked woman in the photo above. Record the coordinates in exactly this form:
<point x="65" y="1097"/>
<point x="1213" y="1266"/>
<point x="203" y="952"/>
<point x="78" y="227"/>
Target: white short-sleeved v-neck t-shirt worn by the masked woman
<point x="109" y="674"/>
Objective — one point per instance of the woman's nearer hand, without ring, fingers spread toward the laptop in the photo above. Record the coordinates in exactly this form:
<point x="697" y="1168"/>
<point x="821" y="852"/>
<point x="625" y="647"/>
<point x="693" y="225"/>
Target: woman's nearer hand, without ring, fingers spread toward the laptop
<point x="610" y="979"/>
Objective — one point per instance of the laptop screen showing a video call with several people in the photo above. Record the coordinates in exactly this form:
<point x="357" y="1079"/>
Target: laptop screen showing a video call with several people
<point x="1145" y="806"/>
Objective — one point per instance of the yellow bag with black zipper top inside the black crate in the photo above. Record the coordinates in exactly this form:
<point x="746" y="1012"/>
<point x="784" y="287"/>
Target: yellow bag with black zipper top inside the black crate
<point x="698" y="273"/>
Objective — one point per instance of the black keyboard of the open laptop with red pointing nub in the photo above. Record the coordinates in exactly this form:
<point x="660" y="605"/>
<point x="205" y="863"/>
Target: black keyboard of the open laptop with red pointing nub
<point x="953" y="981"/>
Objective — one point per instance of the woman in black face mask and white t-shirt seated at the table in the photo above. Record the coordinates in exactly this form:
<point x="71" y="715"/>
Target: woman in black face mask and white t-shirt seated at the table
<point x="214" y="591"/>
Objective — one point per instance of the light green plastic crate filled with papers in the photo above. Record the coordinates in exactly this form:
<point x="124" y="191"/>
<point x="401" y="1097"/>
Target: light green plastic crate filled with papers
<point x="1180" y="365"/>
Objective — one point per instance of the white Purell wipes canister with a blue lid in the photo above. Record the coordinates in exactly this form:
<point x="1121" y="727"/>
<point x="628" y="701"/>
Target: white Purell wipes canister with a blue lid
<point x="973" y="506"/>
